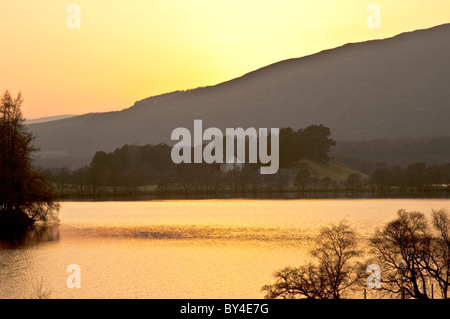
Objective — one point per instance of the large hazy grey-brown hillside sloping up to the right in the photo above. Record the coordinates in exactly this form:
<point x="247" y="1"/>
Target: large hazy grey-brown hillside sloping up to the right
<point x="390" y="88"/>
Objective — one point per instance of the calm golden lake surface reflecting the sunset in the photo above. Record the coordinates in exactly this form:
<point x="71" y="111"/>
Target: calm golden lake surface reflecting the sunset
<point x="184" y="248"/>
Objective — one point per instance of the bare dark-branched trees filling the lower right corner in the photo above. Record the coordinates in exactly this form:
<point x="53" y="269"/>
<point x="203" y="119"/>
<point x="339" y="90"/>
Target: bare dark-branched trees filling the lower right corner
<point x="412" y="256"/>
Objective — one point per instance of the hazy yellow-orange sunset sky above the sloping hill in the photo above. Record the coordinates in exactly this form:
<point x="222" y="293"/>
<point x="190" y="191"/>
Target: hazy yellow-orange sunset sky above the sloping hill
<point x="129" y="50"/>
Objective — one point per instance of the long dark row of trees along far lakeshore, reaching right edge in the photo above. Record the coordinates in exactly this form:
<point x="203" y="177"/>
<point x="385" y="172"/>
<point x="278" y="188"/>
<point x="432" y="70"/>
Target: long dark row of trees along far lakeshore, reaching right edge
<point x="134" y="170"/>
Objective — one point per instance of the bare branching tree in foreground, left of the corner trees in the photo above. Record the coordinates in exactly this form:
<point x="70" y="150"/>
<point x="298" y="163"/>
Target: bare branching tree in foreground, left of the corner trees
<point x="332" y="275"/>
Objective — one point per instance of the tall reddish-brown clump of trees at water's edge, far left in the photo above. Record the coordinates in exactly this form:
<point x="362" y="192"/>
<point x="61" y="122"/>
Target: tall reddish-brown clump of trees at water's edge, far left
<point x="25" y="195"/>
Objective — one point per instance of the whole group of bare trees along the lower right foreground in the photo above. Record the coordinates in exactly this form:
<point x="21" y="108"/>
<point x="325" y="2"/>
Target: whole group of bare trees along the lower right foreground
<point x="412" y="253"/>
